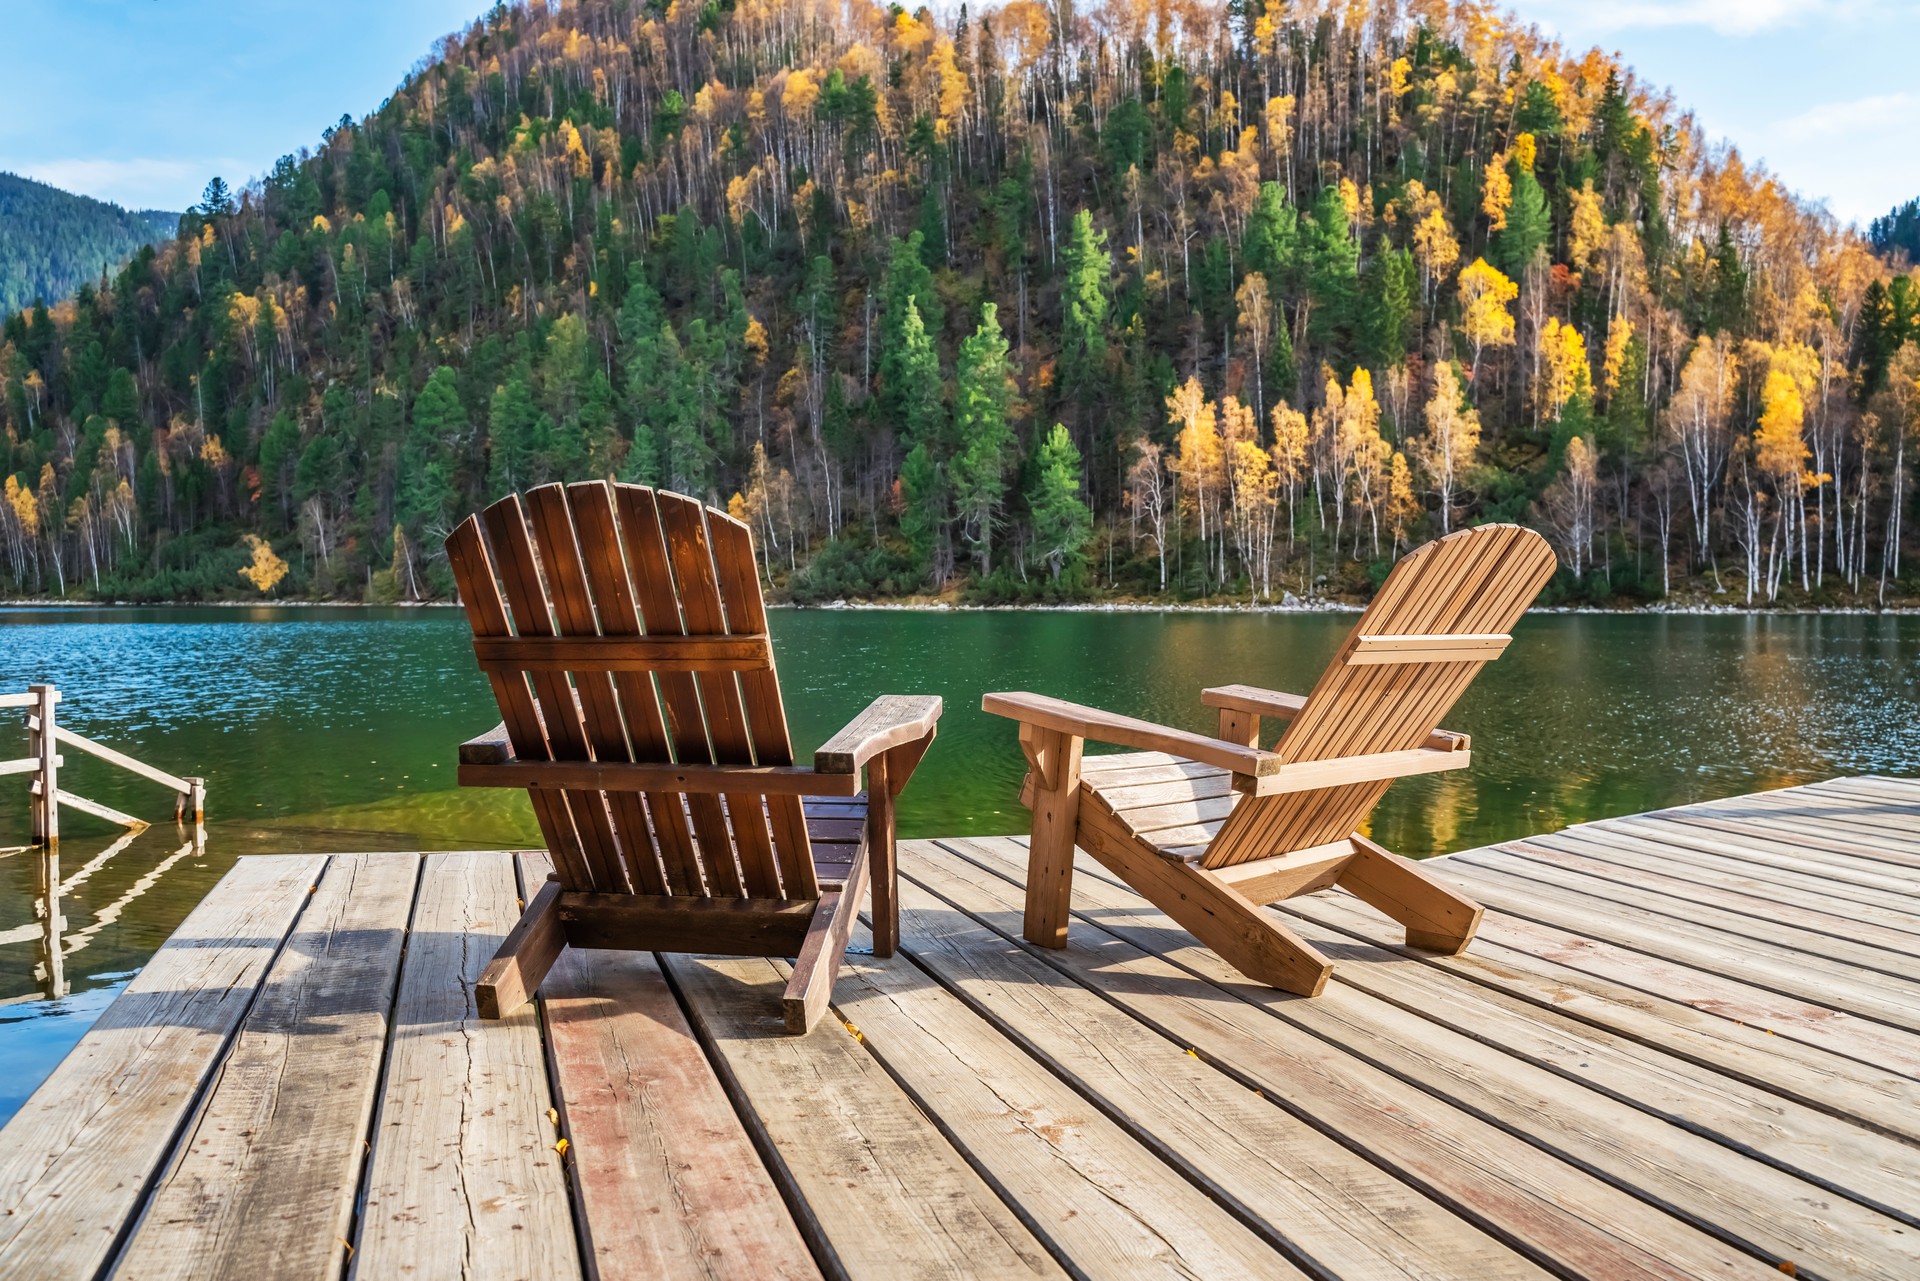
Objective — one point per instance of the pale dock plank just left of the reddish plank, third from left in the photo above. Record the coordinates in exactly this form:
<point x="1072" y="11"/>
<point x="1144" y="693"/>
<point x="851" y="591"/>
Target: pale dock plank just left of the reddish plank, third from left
<point x="464" y="1174"/>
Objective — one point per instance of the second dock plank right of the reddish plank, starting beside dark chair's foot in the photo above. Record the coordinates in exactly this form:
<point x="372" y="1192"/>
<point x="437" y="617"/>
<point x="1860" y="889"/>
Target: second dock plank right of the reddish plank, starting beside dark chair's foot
<point x="1105" y="1203"/>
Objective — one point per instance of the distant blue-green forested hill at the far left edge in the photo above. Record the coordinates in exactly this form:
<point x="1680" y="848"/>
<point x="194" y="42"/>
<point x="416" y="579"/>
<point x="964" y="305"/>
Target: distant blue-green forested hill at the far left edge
<point x="53" y="243"/>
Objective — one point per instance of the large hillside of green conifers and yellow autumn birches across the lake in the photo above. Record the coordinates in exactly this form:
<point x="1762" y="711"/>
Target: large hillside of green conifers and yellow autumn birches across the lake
<point x="1030" y="304"/>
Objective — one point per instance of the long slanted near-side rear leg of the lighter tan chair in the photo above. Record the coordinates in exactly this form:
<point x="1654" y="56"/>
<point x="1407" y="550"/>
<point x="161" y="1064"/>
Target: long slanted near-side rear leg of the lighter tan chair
<point x="1247" y="936"/>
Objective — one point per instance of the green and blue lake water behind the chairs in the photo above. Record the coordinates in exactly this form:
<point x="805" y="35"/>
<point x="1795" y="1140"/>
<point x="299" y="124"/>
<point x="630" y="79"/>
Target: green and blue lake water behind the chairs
<point x="335" y="731"/>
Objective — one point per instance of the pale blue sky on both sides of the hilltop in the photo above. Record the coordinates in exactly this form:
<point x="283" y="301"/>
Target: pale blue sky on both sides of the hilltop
<point x="143" y="101"/>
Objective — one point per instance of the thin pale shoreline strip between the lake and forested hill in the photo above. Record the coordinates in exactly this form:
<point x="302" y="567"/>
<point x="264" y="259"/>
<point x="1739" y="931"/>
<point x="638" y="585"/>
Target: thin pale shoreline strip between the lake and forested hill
<point x="1295" y="606"/>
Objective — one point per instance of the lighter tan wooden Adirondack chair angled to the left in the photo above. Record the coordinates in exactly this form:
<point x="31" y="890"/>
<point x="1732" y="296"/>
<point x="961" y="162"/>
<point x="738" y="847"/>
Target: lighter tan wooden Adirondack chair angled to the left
<point x="1212" y="829"/>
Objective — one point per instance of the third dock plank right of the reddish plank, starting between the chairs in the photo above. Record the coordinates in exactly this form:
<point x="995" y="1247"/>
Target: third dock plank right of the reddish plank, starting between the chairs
<point x="1303" y="1190"/>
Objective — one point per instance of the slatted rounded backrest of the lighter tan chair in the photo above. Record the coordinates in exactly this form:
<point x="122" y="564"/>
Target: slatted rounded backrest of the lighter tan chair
<point x="1458" y="598"/>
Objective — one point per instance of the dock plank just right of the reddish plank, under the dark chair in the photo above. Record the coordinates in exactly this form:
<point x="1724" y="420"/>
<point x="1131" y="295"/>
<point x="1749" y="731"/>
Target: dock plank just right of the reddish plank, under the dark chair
<point x="850" y="1144"/>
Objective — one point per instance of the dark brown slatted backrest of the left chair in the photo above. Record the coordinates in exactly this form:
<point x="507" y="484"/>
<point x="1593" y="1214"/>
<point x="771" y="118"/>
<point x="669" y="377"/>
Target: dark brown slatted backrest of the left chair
<point x="625" y="625"/>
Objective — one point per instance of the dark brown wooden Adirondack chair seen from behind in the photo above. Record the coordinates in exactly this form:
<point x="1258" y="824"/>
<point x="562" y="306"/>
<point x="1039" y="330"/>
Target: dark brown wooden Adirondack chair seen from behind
<point x="625" y="635"/>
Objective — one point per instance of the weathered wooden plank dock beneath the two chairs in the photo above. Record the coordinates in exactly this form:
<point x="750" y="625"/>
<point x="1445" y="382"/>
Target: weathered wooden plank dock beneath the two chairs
<point x="1685" y="1046"/>
